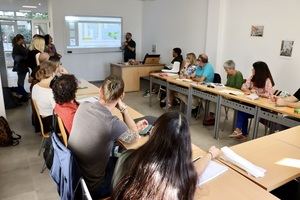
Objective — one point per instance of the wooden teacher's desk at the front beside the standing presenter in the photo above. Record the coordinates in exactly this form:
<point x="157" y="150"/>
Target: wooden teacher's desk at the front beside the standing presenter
<point x="131" y="74"/>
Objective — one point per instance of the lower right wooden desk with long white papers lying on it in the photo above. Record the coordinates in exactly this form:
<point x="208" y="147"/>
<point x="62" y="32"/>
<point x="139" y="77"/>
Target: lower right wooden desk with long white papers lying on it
<point x="265" y="152"/>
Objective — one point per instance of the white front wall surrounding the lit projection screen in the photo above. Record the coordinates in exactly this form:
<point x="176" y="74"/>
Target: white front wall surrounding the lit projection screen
<point x="95" y="66"/>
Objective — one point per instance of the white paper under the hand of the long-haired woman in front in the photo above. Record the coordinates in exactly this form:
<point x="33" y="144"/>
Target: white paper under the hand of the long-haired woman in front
<point x="213" y="170"/>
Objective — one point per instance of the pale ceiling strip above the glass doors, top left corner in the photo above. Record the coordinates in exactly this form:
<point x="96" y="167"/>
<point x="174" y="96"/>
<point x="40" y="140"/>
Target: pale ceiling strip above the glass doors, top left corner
<point x="16" y="5"/>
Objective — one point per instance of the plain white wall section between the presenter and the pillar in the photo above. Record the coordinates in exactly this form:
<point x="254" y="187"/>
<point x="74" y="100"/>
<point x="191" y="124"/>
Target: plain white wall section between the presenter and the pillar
<point x="174" y="23"/>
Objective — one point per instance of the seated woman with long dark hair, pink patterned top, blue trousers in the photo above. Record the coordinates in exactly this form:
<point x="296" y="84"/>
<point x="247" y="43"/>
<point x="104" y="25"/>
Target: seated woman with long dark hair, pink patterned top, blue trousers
<point x="261" y="83"/>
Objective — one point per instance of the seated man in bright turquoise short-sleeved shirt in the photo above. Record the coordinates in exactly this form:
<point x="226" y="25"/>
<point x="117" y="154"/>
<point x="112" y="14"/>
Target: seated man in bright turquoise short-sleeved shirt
<point x="205" y="71"/>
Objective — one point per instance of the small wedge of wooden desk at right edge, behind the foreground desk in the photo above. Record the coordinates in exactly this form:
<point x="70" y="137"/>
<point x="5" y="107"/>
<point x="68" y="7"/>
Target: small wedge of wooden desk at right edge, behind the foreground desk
<point x="290" y="136"/>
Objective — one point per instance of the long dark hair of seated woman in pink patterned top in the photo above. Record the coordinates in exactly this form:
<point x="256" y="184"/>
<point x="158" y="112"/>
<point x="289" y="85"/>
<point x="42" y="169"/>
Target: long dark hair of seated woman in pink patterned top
<point x="262" y="73"/>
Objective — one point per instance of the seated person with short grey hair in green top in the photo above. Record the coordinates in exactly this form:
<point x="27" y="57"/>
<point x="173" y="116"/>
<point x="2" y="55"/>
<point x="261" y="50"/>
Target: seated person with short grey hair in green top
<point x="234" y="77"/>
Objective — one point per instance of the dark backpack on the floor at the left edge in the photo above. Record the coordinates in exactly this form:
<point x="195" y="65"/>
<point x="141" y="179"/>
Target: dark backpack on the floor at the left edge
<point x="7" y="136"/>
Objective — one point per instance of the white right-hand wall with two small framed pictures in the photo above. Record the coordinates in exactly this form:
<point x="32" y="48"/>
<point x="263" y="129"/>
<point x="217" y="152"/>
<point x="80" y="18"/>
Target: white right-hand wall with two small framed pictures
<point x="281" y="21"/>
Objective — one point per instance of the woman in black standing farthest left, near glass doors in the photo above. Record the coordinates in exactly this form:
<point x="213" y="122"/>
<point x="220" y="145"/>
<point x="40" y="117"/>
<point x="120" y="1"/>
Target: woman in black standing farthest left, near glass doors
<point x="19" y="55"/>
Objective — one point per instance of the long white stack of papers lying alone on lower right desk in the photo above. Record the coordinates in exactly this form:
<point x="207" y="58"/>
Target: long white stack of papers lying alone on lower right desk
<point x="243" y="163"/>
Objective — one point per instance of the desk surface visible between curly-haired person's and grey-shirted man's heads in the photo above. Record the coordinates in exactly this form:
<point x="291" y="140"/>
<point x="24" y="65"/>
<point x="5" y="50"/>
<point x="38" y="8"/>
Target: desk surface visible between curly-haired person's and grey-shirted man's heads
<point x="86" y="89"/>
